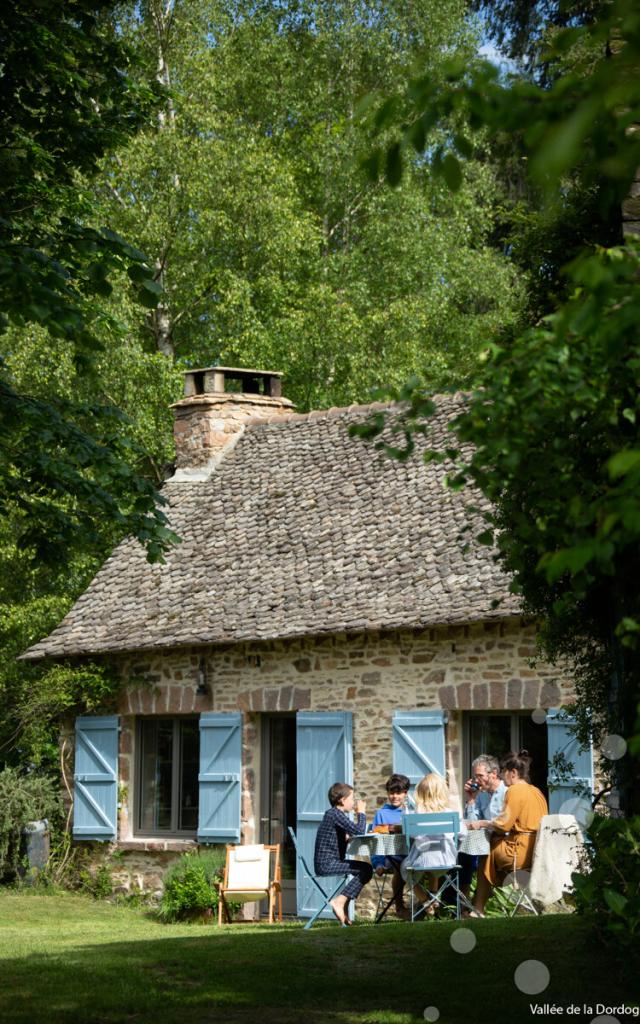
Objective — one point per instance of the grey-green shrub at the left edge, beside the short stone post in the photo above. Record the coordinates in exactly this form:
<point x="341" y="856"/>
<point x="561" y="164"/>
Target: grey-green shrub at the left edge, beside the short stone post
<point x="24" y="798"/>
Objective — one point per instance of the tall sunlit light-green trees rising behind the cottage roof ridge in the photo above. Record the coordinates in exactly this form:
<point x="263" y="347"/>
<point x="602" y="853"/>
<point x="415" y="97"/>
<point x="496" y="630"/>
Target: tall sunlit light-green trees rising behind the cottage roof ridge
<point x="273" y="246"/>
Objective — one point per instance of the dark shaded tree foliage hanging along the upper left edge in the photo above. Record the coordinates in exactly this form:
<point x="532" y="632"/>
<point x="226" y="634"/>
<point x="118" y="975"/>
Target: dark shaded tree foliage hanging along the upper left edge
<point x="67" y="95"/>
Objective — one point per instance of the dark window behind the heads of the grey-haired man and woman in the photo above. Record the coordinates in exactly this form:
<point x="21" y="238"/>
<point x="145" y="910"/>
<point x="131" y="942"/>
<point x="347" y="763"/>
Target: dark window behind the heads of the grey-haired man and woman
<point x="499" y="733"/>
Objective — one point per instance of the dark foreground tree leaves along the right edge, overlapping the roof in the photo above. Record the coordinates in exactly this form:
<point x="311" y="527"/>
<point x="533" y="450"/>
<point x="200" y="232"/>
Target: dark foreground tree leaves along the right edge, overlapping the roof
<point x="554" y="423"/>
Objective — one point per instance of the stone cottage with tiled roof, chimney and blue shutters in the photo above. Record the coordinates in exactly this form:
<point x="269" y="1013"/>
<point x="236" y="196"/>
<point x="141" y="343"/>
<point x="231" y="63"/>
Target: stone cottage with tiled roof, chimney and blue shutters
<point x="321" y="621"/>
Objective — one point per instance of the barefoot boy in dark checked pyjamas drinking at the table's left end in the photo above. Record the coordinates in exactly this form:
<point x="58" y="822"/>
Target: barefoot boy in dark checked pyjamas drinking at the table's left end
<point x="331" y="843"/>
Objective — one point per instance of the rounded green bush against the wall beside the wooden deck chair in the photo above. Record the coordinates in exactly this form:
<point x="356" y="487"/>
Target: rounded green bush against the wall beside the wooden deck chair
<point x="189" y="886"/>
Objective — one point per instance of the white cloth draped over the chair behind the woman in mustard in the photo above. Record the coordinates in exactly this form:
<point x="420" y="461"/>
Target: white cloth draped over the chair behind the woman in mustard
<point x="559" y="852"/>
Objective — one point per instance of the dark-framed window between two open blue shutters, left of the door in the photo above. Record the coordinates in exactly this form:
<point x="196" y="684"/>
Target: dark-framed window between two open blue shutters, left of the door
<point x="167" y="777"/>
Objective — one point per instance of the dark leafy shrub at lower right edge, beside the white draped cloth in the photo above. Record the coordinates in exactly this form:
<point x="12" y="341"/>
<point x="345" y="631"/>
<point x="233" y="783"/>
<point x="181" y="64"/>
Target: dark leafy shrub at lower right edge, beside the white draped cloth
<point x="610" y="893"/>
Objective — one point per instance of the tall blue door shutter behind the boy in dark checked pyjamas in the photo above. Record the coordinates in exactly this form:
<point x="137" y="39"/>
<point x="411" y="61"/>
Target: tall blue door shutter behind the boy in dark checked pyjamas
<point x="325" y="756"/>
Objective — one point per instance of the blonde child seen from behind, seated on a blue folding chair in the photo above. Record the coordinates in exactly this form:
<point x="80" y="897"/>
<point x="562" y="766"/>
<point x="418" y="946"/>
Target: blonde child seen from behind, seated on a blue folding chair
<point x="431" y="852"/>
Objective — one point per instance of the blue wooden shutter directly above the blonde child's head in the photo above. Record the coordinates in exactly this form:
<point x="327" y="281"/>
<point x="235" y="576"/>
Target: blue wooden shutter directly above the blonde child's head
<point x="419" y="744"/>
